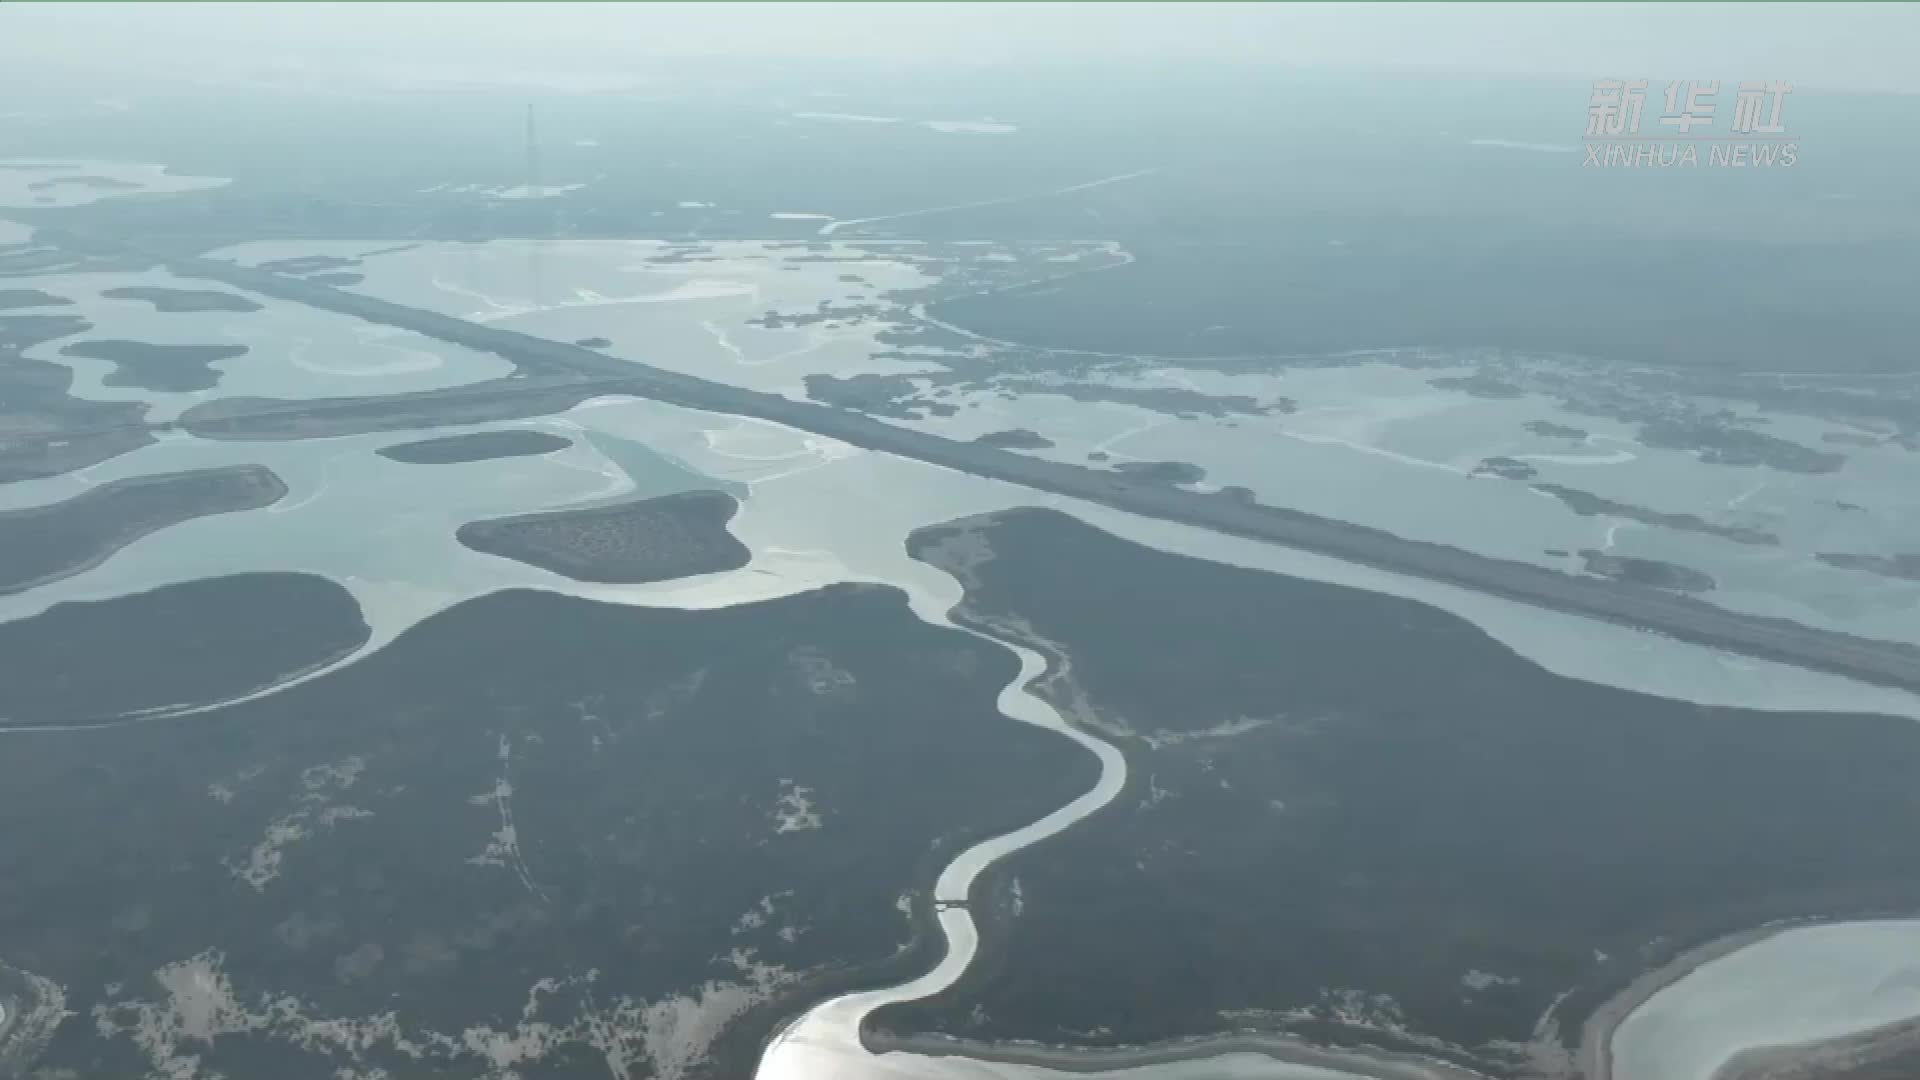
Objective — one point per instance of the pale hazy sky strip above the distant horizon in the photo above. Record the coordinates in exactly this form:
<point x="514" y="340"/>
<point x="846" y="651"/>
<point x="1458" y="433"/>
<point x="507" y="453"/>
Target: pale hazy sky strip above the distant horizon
<point x="1860" y="47"/>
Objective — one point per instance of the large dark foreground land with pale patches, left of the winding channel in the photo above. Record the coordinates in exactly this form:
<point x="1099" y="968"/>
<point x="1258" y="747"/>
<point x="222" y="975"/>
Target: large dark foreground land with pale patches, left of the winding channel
<point x="527" y="787"/>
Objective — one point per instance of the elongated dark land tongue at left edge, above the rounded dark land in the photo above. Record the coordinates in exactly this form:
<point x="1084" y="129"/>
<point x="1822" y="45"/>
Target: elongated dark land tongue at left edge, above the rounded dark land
<point x="49" y="543"/>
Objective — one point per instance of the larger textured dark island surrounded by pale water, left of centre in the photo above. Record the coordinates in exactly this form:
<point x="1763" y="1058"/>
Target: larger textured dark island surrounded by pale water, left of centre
<point x="631" y="543"/>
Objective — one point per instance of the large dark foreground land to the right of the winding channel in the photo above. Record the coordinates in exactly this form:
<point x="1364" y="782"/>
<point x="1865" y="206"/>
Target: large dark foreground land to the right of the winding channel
<point x="1351" y="800"/>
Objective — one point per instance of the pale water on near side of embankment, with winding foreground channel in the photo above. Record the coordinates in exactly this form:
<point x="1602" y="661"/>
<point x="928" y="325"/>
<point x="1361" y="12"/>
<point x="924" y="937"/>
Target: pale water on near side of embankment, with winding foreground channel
<point x="815" y="512"/>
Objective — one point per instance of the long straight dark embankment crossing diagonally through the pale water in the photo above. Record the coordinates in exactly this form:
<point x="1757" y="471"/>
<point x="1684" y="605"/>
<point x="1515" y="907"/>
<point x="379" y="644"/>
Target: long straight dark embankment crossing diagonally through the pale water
<point x="1888" y="664"/>
